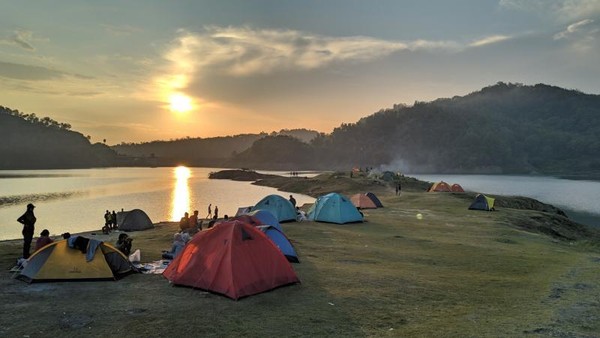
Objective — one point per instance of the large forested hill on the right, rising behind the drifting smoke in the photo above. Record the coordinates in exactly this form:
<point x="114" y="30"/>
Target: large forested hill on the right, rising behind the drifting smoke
<point x="504" y="128"/>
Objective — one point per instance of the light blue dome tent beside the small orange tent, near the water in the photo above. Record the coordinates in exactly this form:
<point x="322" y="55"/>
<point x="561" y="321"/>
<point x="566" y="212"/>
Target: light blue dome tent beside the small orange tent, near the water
<point x="334" y="208"/>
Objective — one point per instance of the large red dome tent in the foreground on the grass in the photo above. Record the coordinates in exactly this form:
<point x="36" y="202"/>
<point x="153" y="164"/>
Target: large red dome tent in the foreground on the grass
<point x="234" y="259"/>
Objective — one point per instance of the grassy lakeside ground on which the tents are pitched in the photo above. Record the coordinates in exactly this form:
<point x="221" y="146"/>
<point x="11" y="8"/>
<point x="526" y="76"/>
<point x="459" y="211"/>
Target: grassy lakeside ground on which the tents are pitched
<point x="423" y="265"/>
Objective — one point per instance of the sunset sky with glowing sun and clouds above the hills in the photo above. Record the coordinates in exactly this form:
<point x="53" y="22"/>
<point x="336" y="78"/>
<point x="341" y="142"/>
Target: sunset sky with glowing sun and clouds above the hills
<point x="137" y="71"/>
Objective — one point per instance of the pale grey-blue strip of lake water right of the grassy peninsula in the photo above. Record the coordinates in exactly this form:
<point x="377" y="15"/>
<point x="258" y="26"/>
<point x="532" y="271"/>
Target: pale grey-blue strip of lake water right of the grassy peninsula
<point x="579" y="199"/>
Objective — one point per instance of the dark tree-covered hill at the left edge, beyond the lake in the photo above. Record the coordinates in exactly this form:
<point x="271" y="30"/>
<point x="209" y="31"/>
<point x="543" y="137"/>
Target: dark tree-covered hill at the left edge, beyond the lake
<point x="30" y="142"/>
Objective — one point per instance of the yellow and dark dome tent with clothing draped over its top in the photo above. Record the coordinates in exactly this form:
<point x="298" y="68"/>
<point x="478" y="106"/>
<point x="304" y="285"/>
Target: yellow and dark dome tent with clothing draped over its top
<point x="58" y="262"/>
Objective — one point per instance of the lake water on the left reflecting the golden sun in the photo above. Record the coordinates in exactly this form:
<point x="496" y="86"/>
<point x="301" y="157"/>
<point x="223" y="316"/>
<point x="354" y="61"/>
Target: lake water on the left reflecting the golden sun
<point x="76" y="200"/>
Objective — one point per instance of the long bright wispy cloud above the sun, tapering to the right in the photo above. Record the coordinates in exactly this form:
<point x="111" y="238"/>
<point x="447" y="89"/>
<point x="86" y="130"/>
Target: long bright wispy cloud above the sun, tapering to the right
<point x="243" y="52"/>
